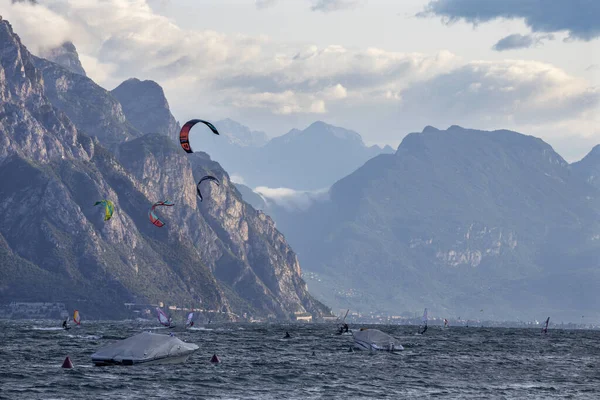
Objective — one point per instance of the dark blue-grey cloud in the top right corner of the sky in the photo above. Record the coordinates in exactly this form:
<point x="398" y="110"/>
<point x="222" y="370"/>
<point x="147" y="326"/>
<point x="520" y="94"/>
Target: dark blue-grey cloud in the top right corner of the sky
<point x="580" y="18"/>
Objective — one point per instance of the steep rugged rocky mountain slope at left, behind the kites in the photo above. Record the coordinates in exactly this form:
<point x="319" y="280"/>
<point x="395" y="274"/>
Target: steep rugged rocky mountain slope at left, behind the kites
<point x="67" y="143"/>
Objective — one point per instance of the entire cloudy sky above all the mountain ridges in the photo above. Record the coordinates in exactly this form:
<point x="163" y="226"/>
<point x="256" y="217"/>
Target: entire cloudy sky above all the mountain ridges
<point x="383" y="68"/>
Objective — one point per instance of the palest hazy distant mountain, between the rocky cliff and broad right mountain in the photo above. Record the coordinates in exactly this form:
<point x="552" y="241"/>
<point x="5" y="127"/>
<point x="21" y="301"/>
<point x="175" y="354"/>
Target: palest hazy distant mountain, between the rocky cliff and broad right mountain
<point x="333" y="153"/>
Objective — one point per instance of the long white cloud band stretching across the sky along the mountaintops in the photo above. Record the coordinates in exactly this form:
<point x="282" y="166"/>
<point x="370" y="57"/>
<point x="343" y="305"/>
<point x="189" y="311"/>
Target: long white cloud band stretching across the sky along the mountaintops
<point x="265" y="80"/>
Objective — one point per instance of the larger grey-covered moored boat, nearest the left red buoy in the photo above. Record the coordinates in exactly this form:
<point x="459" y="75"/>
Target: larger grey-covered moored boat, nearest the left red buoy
<point x="145" y="348"/>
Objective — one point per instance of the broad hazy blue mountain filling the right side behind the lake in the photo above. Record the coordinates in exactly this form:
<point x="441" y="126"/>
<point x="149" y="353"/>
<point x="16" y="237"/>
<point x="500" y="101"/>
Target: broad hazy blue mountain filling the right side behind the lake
<point x="457" y="221"/>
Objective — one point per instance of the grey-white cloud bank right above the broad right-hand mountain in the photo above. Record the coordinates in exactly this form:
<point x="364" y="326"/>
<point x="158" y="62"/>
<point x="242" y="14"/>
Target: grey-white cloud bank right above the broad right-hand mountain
<point x="510" y="93"/>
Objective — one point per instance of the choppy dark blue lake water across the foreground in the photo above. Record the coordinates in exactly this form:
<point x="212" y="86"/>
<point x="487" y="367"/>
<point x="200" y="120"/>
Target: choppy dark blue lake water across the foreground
<point x="257" y="363"/>
